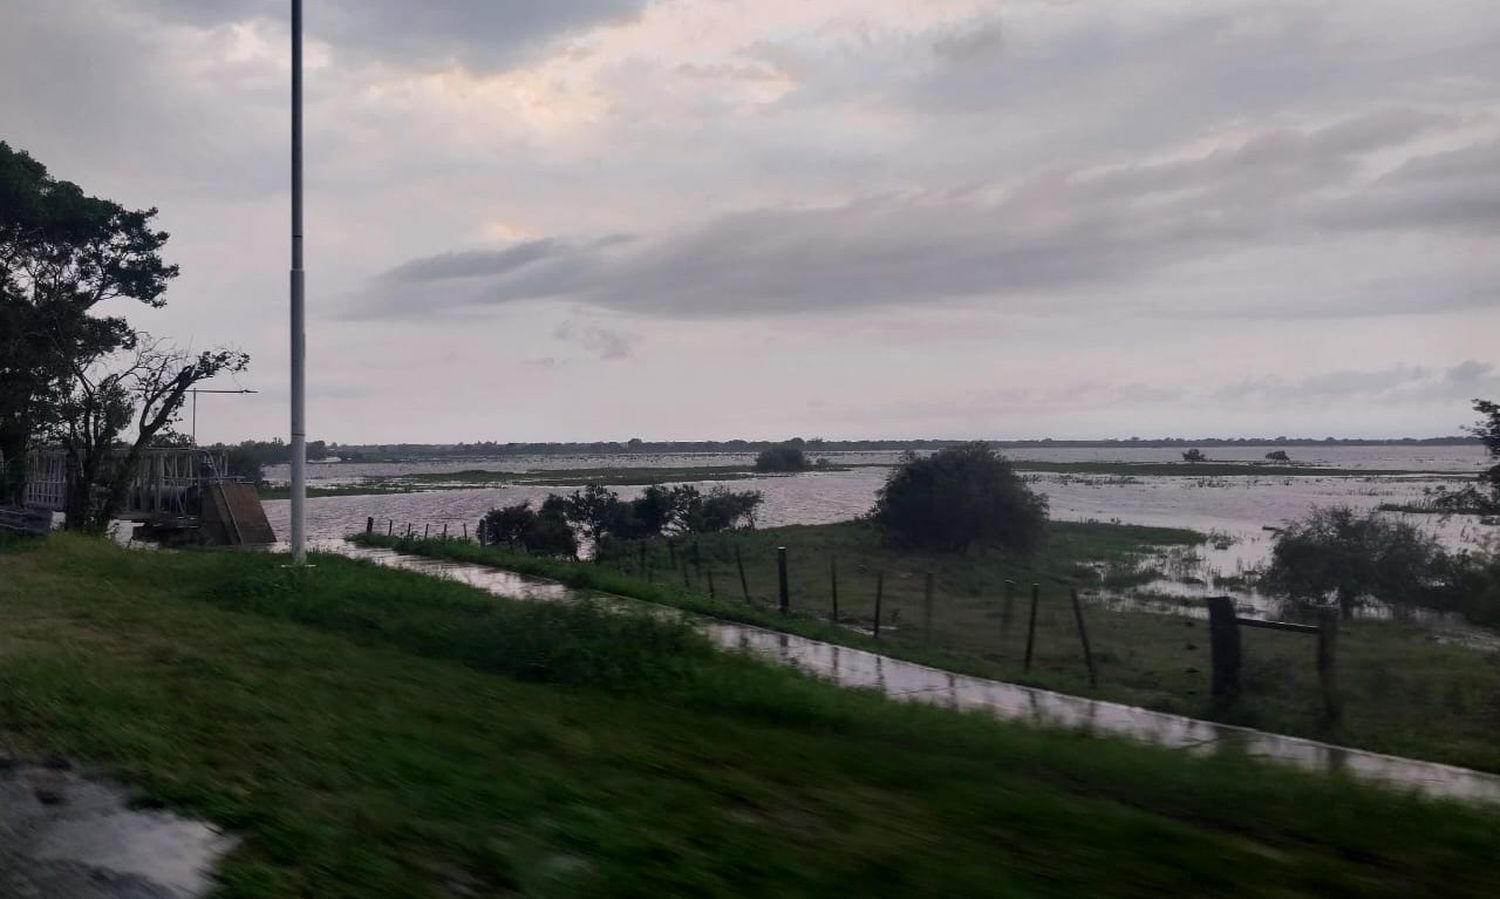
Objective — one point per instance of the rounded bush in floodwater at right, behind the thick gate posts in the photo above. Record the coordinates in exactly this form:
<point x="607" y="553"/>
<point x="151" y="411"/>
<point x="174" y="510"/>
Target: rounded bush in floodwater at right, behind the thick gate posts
<point x="1348" y="558"/>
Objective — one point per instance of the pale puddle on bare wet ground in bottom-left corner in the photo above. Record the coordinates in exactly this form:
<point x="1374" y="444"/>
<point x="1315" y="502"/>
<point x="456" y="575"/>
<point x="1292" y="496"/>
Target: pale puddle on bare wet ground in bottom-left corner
<point x="68" y="837"/>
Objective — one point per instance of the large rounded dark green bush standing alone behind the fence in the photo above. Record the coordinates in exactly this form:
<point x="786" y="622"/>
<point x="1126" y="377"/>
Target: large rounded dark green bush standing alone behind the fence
<point x="958" y="498"/>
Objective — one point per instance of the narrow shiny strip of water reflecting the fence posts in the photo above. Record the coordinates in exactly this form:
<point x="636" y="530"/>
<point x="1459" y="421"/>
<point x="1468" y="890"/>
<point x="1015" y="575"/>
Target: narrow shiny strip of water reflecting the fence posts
<point x="920" y="684"/>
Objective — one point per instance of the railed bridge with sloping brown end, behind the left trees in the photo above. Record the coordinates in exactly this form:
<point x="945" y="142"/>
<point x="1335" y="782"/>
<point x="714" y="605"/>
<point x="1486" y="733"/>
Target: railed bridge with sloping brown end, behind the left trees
<point x="179" y="496"/>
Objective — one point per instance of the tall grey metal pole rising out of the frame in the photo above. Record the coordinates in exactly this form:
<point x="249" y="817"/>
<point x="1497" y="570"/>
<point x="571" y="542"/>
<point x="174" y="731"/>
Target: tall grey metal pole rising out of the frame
<point x="299" y="343"/>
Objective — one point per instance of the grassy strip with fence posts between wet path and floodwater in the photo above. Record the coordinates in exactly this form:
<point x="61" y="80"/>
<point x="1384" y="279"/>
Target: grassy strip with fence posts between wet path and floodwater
<point x="1405" y="691"/>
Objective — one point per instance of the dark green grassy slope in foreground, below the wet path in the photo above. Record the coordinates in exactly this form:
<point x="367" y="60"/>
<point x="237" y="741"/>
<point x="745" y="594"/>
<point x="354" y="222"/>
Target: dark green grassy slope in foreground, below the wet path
<point x="377" y="733"/>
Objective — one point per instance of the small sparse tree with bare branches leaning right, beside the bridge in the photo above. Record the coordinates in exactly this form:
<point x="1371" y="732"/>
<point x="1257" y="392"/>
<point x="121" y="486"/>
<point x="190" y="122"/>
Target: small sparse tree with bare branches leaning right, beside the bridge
<point x="143" y="391"/>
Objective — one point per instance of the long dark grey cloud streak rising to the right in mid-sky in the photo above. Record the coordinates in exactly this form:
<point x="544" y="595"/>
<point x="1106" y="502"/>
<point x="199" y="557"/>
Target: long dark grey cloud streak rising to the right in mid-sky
<point x="1051" y="233"/>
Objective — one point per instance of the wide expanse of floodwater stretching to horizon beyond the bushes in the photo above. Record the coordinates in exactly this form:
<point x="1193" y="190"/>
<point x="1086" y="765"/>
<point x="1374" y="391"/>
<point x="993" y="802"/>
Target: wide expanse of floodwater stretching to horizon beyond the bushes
<point x="1237" y="510"/>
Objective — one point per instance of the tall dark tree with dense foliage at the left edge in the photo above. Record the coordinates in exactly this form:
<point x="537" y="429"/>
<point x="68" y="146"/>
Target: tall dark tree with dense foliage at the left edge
<point x="62" y="253"/>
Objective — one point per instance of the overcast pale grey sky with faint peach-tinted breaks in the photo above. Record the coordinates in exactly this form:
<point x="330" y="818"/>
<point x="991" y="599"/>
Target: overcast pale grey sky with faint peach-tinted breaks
<point x="598" y="220"/>
